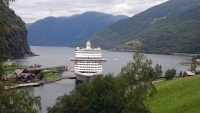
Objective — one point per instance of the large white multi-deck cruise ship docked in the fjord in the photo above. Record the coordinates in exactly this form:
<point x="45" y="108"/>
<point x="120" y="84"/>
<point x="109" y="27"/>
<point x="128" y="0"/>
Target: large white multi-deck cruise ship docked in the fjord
<point x="87" y="62"/>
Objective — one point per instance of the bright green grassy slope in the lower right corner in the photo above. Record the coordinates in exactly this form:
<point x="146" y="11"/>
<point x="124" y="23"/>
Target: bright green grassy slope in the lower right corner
<point x="180" y="95"/>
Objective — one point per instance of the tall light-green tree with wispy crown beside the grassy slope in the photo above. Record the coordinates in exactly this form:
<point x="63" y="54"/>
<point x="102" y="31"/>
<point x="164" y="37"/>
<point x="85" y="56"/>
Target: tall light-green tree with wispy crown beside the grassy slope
<point x="137" y="76"/>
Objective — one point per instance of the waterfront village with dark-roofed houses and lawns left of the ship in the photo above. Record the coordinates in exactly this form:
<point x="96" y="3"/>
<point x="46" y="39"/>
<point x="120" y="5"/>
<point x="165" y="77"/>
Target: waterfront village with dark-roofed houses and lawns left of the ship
<point x="30" y="74"/>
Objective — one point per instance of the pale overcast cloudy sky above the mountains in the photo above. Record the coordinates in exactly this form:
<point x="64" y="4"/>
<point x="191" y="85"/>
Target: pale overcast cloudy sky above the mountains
<point x="33" y="10"/>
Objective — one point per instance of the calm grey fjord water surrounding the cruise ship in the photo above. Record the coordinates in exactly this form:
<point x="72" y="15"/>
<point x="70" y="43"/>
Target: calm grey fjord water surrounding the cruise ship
<point x="56" y="56"/>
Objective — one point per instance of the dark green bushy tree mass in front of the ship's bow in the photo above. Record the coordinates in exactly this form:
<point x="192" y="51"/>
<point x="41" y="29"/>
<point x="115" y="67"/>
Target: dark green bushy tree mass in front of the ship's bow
<point x="100" y="95"/>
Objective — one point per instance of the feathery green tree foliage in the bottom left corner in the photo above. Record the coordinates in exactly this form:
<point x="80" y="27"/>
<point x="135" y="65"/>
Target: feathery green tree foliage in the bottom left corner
<point x="18" y="100"/>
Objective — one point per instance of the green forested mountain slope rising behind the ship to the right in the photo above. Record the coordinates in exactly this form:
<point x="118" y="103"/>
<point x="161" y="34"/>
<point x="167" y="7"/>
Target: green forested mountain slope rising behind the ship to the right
<point x="172" y="26"/>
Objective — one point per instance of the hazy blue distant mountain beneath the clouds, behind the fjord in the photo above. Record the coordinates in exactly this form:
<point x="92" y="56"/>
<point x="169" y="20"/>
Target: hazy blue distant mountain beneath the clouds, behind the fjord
<point x="67" y="31"/>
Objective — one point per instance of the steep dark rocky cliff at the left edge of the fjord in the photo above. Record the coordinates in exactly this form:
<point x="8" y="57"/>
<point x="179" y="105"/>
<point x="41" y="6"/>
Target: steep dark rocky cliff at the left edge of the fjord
<point x="15" y="41"/>
